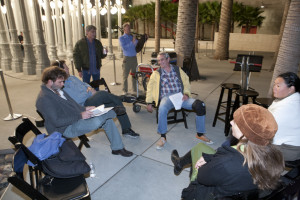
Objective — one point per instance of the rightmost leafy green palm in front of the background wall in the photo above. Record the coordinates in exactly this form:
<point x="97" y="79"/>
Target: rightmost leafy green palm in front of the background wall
<point x="251" y="16"/>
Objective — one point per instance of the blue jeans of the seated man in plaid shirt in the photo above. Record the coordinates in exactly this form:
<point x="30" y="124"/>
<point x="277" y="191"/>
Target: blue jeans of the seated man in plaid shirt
<point x="166" y="105"/>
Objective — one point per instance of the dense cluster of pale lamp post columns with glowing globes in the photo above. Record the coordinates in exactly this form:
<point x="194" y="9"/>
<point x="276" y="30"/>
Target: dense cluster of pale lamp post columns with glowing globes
<point x="59" y="23"/>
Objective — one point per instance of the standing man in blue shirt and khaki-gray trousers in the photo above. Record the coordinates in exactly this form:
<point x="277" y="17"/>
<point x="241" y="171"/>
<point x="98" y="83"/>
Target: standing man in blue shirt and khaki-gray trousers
<point x="128" y="43"/>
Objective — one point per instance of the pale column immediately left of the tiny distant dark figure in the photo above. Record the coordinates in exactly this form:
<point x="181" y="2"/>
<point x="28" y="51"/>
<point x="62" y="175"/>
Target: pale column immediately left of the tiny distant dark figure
<point x="17" y="54"/>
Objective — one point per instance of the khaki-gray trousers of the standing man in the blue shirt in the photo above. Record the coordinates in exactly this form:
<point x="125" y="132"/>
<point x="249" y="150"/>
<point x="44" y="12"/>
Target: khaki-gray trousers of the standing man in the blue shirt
<point x="129" y="64"/>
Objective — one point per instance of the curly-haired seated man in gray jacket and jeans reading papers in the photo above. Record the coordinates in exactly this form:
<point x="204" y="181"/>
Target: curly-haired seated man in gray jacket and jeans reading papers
<point x="64" y="115"/>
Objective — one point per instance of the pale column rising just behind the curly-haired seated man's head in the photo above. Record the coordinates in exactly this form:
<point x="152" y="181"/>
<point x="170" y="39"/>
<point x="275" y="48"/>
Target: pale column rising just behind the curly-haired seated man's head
<point x="41" y="50"/>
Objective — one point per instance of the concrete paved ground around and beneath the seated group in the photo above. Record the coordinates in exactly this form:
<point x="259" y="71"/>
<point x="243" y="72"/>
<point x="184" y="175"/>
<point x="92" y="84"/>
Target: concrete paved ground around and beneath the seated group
<point x="148" y="174"/>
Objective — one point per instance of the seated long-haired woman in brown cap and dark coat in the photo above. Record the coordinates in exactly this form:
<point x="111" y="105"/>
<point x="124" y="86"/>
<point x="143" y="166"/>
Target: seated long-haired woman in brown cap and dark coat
<point x="254" y="163"/>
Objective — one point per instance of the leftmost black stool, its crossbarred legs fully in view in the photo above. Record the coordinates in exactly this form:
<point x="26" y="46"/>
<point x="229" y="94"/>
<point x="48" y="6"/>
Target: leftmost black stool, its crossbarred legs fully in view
<point x="230" y="87"/>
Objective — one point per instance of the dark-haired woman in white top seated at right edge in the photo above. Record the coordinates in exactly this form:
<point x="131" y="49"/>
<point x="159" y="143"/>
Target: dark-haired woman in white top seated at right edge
<point x="286" y="110"/>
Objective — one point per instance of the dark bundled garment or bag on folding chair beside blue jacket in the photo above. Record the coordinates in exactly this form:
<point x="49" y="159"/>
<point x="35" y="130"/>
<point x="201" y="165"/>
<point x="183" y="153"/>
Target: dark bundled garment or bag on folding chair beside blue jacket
<point x="67" y="163"/>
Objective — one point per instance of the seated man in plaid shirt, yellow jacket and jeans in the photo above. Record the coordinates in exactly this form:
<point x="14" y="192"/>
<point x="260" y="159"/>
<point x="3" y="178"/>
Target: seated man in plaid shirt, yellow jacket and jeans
<point x="166" y="81"/>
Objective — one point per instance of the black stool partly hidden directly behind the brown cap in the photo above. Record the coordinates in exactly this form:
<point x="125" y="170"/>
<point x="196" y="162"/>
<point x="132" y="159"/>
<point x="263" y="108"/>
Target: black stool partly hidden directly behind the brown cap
<point x="245" y="94"/>
